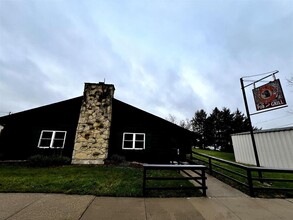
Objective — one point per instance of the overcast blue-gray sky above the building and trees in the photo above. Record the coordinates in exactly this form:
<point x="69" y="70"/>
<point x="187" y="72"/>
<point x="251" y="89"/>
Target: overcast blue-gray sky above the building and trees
<point x="163" y="56"/>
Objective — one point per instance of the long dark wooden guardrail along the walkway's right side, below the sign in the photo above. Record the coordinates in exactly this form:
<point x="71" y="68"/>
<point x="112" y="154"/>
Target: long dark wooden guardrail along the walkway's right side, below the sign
<point x="246" y="176"/>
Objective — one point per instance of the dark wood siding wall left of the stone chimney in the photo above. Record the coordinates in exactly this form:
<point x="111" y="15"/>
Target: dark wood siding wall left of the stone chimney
<point x="21" y="133"/>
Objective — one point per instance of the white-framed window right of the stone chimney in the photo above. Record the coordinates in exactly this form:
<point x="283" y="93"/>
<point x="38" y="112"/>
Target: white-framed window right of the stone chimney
<point x="133" y="141"/>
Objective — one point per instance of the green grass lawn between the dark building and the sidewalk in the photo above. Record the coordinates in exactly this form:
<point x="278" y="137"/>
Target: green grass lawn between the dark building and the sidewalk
<point x="84" y="180"/>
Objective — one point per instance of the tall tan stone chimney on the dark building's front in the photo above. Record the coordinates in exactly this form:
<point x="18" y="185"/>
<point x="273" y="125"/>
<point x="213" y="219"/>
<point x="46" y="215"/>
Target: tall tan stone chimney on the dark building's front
<point x="93" y="129"/>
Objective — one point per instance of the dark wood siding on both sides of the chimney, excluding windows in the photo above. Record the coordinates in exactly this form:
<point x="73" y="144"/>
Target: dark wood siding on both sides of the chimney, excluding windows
<point x="21" y="133"/>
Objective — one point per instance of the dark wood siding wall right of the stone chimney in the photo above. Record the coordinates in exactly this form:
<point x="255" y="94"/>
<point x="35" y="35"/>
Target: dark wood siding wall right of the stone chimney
<point x="163" y="138"/>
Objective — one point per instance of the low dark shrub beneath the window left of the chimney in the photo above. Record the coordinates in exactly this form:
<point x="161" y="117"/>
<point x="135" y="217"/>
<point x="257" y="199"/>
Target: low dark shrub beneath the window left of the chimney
<point x="46" y="161"/>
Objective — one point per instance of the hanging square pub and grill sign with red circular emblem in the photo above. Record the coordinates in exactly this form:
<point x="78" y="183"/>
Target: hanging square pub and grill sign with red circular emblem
<point x="269" y="95"/>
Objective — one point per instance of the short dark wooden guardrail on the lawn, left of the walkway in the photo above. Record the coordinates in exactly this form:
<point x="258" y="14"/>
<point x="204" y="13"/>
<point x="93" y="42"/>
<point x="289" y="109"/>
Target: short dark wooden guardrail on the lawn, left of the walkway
<point x="196" y="173"/>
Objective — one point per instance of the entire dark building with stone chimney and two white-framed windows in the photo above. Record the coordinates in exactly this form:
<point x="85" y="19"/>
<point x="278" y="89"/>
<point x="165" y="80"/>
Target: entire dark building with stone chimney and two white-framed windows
<point x="92" y="128"/>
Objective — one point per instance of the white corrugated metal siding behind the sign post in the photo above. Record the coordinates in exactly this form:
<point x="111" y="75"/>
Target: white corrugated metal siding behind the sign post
<point x="275" y="148"/>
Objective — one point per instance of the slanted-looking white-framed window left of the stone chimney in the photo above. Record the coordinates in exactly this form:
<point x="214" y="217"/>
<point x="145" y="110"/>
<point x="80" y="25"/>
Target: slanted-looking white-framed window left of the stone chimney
<point x="52" y="139"/>
